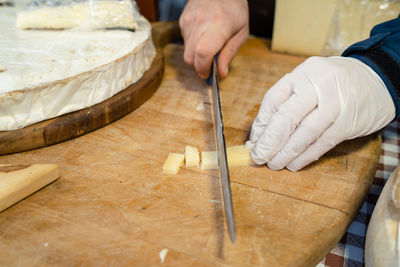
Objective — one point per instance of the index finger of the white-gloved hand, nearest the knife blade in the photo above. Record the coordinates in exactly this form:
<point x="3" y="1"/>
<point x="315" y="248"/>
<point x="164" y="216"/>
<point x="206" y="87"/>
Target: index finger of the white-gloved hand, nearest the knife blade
<point x="274" y="97"/>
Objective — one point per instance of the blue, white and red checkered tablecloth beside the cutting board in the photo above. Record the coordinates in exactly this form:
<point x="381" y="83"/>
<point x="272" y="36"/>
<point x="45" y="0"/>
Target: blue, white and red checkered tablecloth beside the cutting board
<point x="350" y="250"/>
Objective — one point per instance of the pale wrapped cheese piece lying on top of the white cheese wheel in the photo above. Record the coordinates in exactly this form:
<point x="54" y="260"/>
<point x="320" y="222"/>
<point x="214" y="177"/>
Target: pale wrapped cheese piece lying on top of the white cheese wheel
<point x="93" y="14"/>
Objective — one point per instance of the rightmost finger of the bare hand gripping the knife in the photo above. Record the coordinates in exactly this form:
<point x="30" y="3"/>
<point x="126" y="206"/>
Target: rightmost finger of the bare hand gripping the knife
<point x="229" y="51"/>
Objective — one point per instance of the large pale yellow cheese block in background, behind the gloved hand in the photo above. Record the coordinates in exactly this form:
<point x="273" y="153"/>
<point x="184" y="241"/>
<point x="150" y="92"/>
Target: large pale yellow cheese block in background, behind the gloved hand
<point x="326" y="27"/>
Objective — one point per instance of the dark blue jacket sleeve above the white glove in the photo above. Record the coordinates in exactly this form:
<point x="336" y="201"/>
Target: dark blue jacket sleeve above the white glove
<point x="382" y="53"/>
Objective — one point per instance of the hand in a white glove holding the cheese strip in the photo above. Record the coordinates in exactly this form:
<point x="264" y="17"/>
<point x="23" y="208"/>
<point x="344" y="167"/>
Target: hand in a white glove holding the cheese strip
<point x="321" y="103"/>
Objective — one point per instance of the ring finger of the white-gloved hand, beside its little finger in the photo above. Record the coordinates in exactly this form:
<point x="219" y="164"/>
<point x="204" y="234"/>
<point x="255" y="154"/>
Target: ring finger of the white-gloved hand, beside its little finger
<point x="312" y="127"/>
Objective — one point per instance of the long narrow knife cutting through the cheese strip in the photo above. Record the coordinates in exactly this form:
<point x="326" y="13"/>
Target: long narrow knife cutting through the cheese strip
<point x="222" y="161"/>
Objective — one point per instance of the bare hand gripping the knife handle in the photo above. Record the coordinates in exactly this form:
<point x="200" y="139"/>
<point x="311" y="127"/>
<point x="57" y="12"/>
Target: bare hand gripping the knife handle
<point x="209" y="27"/>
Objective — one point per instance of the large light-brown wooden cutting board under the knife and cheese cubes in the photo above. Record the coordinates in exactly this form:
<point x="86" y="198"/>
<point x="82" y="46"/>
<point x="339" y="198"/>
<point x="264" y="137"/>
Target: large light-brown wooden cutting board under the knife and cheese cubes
<point x="113" y="206"/>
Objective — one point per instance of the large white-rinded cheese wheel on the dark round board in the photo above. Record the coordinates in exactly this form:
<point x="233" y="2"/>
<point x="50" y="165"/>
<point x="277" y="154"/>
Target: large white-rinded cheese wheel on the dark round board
<point x="51" y="73"/>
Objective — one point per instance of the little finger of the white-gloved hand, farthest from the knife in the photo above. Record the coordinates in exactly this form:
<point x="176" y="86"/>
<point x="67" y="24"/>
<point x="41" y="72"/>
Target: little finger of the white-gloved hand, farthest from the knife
<point x="329" y="139"/>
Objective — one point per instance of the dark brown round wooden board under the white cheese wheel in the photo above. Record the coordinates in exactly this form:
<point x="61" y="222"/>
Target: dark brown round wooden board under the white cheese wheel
<point x="80" y="122"/>
